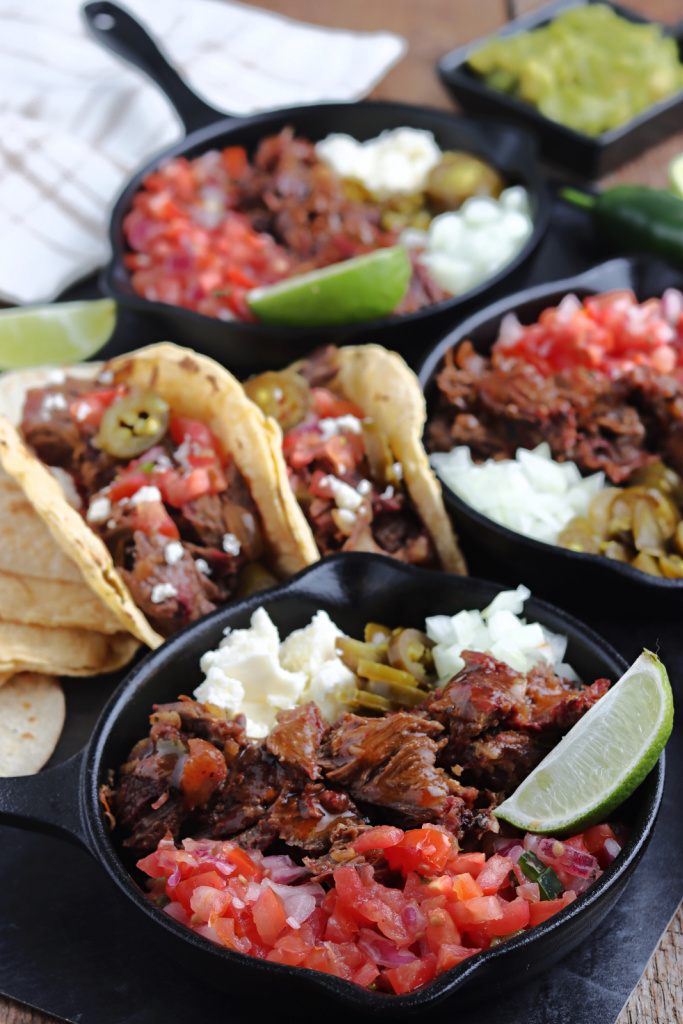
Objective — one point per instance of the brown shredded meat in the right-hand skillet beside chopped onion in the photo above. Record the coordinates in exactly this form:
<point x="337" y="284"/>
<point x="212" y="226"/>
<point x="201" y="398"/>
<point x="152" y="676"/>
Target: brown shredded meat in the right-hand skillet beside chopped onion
<point x="495" y="406"/>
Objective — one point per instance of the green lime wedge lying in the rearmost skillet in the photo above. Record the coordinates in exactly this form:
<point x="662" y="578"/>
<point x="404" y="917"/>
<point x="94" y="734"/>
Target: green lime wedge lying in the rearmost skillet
<point x="359" y="289"/>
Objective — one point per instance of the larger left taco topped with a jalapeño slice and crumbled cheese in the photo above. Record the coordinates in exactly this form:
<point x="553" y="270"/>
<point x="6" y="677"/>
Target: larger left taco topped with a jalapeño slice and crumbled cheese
<point x="159" y="480"/>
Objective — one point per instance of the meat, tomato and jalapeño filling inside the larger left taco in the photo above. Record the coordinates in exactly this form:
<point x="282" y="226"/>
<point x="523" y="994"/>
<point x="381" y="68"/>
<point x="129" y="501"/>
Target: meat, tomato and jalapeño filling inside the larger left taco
<point x="159" y="489"/>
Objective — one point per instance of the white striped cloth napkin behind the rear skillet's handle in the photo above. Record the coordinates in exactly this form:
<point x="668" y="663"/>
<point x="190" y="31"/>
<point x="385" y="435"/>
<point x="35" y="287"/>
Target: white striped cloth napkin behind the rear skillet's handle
<point x="76" y="122"/>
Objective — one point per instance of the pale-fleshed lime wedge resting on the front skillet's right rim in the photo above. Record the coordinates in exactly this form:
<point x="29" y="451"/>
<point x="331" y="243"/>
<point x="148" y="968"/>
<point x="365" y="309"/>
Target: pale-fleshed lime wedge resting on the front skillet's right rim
<point x="603" y="759"/>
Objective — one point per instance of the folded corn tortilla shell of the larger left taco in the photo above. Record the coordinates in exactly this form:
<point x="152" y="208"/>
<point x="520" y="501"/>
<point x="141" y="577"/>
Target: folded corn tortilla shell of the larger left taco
<point x="195" y="387"/>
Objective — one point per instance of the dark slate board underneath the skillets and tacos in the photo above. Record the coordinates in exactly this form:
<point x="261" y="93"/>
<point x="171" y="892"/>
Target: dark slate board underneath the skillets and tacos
<point x="72" y="946"/>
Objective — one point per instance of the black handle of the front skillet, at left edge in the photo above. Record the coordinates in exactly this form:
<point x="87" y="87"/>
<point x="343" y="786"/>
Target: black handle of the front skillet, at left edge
<point x="48" y="803"/>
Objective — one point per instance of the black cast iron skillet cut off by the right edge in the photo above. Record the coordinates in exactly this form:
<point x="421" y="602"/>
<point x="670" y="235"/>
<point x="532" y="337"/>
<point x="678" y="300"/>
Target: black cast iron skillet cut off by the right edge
<point x="545" y="568"/>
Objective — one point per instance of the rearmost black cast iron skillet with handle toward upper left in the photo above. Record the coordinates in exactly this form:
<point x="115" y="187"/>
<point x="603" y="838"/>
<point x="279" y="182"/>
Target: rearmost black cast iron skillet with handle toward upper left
<point x="249" y="348"/>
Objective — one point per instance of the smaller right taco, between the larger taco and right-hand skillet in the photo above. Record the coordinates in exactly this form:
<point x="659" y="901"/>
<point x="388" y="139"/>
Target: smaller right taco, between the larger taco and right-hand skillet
<point x="353" y="420"/>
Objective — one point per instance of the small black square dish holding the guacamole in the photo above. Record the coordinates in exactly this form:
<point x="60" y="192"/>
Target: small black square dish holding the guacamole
<point x="582" y="155"/>
